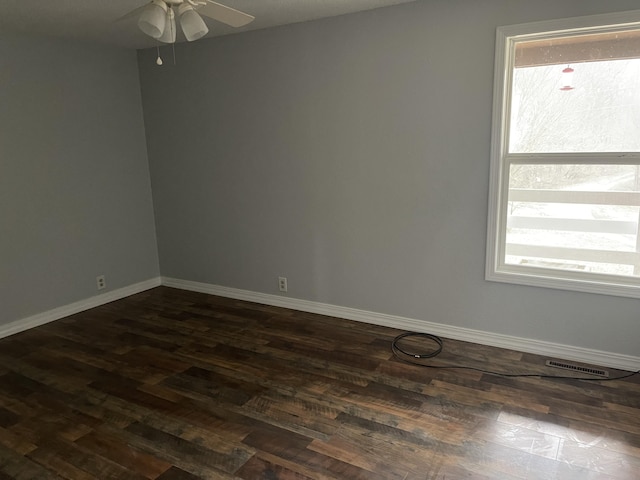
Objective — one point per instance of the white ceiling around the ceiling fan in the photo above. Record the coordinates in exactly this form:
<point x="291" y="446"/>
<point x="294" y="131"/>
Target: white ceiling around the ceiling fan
<point x="97" y="20"/>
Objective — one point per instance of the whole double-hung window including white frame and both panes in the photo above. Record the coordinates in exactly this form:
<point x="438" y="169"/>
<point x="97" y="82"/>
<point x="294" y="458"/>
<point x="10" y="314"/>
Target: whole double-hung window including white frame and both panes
<point x="564" y="208"/>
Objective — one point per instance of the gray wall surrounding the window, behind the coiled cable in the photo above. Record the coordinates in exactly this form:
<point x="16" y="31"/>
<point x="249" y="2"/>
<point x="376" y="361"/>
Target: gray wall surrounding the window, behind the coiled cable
<point x="351" y="155"/>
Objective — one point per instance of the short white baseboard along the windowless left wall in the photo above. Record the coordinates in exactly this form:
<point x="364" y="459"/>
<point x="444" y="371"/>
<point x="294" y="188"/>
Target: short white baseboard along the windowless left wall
<point x="76" y="307"/>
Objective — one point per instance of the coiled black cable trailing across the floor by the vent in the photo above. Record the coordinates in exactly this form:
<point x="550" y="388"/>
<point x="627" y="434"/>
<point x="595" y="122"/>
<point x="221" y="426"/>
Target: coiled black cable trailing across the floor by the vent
<point x="408" y="357"/>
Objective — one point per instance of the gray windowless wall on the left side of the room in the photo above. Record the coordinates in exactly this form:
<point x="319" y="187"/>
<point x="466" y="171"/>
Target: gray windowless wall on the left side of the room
<point x="75" y="196"/>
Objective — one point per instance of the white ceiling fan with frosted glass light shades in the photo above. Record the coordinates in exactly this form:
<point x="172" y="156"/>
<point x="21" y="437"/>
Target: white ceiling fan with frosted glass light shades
<point x="158" y="18"/>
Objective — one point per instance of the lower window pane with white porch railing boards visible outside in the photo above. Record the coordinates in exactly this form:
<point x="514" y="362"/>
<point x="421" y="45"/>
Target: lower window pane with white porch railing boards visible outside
<point x="574" y="217"/>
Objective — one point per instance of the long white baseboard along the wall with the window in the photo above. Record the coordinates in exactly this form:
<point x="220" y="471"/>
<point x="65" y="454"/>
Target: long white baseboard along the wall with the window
<point x="549" y="349"/>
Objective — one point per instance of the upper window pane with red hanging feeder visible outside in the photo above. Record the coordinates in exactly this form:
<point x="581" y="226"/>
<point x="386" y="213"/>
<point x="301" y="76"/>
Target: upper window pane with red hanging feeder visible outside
<point x="579" y="94"/>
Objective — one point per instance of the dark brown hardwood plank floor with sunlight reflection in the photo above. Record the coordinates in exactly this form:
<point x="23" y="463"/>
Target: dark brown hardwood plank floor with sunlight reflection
<point x="175" y="385"/>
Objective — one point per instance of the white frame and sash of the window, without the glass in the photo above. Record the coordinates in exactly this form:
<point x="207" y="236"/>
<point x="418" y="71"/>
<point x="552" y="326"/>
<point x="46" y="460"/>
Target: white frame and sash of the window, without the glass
<point x="496" y="267"/>
